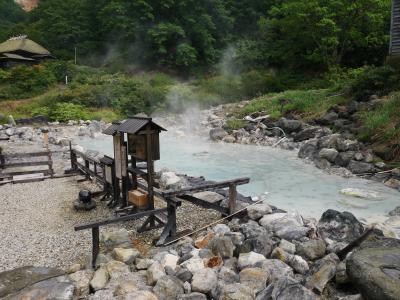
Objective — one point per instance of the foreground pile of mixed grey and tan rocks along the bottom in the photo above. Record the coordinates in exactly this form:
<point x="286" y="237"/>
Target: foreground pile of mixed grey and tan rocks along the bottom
<point x="269" y="254"/>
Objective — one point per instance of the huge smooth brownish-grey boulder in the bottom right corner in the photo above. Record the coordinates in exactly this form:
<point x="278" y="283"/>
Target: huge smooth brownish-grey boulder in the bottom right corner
<point x="375" y="269"/>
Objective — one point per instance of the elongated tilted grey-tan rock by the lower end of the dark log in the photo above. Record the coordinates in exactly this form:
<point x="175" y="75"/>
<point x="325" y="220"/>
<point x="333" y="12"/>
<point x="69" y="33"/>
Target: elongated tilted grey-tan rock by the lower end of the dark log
<point x="323" y="271"/>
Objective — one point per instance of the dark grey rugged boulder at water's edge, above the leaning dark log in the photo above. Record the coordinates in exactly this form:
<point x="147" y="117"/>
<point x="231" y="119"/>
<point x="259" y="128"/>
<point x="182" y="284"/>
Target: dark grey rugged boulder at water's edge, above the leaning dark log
<point x="339" y="227"/>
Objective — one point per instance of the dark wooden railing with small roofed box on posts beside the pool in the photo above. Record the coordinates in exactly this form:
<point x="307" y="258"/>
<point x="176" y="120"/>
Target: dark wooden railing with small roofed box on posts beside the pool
<point x="142" y="146"/>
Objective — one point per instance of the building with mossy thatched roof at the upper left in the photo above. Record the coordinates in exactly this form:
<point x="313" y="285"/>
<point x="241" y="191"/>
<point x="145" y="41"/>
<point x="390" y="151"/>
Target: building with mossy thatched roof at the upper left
<point x="21" y="50"/>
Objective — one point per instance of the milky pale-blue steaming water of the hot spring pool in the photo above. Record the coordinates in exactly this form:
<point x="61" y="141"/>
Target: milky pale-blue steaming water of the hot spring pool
<point x="285" y="180"/>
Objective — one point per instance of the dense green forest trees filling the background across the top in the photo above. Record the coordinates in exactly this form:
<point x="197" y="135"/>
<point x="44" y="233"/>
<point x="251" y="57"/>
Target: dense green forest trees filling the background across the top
<point x="186" y="35"/>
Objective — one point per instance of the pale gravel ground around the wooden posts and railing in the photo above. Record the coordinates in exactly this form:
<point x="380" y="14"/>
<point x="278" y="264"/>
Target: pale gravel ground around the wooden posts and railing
<point x="37" y="221"/>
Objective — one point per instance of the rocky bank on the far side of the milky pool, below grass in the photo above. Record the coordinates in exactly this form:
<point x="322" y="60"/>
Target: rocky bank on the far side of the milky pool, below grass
<point x="337" y="152"/>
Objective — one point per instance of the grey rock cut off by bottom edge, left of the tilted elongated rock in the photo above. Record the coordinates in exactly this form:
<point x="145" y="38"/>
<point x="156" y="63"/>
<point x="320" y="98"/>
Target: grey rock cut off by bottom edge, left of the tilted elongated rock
<point x="288" y="288"/>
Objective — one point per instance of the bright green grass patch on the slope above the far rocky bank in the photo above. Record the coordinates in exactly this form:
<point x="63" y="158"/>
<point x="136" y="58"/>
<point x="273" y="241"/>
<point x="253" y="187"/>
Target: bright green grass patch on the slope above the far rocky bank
<point x="308" y="105"/>
